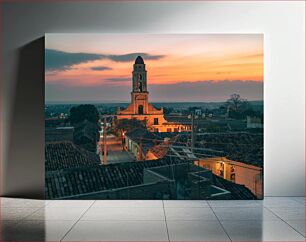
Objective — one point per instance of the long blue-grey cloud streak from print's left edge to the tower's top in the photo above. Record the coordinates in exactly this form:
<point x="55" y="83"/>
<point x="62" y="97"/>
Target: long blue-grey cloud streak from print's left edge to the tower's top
<point x="56" y="60"/>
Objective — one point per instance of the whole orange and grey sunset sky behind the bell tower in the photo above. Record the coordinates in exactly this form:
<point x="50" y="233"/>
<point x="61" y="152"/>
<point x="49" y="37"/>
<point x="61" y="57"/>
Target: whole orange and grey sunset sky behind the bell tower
<point x="190" y="67"/>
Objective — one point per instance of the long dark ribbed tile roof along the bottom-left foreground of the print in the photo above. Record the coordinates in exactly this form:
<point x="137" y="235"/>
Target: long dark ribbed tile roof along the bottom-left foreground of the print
<point x="79" y="180"/>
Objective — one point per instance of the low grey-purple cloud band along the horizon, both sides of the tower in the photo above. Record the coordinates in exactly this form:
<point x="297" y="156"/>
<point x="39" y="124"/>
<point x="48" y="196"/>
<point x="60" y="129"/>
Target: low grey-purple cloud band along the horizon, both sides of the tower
<point x="201" y="91"/>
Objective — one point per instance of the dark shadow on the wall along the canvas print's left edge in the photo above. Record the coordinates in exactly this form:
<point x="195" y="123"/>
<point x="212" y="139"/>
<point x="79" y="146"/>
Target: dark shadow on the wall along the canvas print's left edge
<point x="25" y="149"/>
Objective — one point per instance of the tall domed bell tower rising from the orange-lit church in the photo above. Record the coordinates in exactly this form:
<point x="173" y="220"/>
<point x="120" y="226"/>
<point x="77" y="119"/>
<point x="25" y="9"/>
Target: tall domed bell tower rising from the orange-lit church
<point x="139" y="94"/>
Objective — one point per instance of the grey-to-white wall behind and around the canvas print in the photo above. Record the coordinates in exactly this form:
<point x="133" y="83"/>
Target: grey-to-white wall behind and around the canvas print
<point x="283" y="25"/>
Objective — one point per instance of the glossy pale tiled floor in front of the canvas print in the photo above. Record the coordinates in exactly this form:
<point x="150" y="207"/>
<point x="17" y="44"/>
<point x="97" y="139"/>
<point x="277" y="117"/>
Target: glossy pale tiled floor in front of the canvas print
<point x="274" y="219"/>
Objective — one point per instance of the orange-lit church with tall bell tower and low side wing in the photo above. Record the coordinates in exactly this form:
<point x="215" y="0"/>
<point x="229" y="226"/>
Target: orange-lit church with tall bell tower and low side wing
<point x="141" y="109"/>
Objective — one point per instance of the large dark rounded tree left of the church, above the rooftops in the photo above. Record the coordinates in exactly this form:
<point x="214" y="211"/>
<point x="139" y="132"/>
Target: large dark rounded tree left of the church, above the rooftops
<point x="84" y="112"/>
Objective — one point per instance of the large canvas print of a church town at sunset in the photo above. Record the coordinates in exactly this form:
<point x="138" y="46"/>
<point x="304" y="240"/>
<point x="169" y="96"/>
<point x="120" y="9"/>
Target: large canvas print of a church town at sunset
<point x="154" y="116"/>
